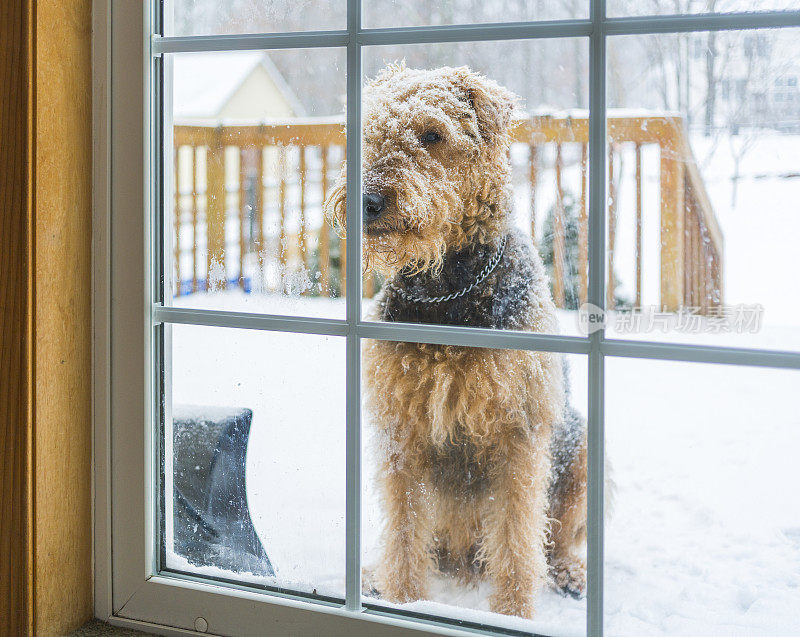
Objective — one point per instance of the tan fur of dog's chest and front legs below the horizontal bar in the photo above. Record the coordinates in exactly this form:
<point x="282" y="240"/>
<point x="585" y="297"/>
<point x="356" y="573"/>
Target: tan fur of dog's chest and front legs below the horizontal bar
<point x="490" y="412"/>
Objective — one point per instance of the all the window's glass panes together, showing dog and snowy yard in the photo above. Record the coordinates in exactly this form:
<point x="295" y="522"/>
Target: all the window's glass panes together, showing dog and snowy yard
<point x="474" y="203"/>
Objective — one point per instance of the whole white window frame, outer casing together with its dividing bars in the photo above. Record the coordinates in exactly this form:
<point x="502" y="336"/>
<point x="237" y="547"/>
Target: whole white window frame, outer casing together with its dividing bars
<point x="129" y="591"/>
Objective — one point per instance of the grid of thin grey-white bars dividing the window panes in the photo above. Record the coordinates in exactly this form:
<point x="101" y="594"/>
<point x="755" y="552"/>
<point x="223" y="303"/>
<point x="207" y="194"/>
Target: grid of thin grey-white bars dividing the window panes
<point x="597" y="28"/>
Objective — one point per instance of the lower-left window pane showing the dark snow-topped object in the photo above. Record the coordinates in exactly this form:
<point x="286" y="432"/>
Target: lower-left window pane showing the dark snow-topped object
<point x="254" y="458"/>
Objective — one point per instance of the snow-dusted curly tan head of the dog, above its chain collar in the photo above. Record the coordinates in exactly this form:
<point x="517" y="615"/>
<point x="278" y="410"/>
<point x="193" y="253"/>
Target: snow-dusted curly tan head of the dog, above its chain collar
<point x="435" y="165"/>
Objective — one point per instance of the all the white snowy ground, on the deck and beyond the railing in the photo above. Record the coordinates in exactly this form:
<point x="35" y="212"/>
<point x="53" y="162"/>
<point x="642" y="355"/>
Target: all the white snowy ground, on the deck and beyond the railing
<point x="704" y="538"/>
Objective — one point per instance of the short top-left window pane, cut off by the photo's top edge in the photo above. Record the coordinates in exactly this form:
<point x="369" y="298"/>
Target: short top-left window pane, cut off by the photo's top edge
<point x="212" y="17"/>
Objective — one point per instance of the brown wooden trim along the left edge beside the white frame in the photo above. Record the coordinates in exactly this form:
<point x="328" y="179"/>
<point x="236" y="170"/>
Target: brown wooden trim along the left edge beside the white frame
<point x="45" y="317"/>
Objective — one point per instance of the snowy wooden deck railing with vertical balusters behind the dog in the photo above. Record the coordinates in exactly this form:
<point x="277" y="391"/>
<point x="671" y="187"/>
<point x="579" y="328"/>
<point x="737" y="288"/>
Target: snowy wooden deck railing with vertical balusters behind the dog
<point x="218" y="197"/>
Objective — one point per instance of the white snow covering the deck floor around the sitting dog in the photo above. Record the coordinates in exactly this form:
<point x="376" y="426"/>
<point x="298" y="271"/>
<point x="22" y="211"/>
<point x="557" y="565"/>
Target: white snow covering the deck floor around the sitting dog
<point x="705" y="534"/>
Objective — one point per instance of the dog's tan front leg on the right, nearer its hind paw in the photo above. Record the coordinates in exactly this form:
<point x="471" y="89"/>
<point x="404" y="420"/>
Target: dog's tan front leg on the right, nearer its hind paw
<point x="513" y="548"/>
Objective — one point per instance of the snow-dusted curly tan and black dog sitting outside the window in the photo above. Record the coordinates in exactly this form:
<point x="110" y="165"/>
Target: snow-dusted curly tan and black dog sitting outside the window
<point x="480" y="447"/>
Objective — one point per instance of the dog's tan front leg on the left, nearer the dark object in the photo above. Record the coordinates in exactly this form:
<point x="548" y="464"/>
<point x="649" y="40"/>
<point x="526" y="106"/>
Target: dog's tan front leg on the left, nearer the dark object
<point x="403" y="571"/>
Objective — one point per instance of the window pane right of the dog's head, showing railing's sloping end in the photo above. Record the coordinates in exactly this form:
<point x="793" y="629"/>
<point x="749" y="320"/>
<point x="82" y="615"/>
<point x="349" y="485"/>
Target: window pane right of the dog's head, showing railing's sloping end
<point x="703" y="224"/>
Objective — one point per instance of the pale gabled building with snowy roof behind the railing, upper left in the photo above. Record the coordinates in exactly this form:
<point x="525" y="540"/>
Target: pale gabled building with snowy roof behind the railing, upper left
<point x="237" y="86"/>
